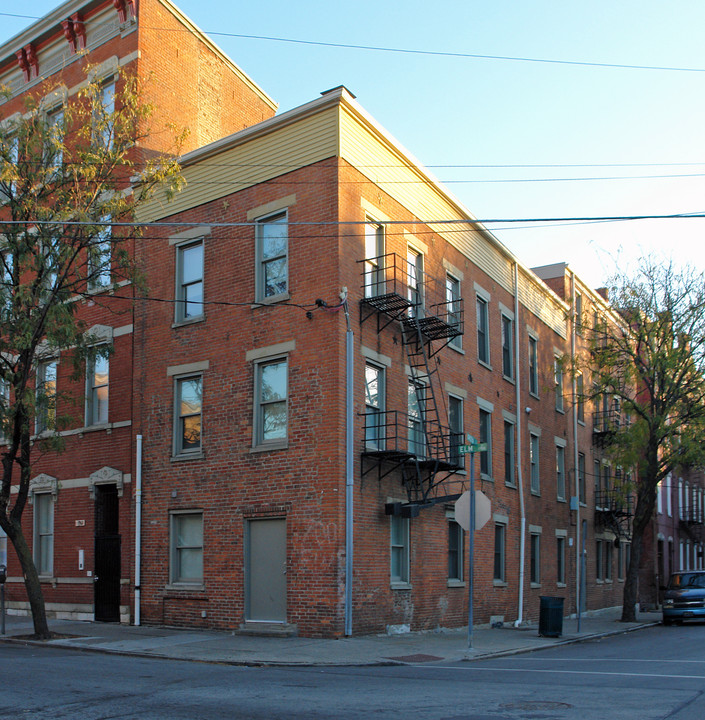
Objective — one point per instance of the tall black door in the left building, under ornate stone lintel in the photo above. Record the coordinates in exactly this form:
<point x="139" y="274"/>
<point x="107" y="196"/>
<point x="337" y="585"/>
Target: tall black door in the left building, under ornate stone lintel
<point x="107" y="555"/>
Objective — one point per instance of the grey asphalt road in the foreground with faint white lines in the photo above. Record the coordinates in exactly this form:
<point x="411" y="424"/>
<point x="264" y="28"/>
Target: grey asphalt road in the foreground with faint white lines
<point x="654" y="673"/>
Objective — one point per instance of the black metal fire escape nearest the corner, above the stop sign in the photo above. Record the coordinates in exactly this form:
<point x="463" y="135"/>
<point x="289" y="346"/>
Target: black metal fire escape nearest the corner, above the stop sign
<point x="419" y="443"/>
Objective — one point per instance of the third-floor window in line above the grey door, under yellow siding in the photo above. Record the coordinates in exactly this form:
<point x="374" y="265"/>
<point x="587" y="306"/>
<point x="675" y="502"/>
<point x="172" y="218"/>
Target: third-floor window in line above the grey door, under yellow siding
<point x="272" y="248"/>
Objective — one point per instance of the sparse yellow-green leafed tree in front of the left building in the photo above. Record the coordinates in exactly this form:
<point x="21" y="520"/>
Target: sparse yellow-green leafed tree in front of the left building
<point x="69" y="170"/>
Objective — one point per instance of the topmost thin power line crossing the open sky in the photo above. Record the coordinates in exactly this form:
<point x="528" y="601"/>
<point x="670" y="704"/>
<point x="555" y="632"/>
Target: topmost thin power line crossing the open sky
<point x="414" y="51"/>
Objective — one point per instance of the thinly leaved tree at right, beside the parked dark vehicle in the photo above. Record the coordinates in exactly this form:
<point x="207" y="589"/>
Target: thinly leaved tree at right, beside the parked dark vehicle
<point x="649" y="367"/>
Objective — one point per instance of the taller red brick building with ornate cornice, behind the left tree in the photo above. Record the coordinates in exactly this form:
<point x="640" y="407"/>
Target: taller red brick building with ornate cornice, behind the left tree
<point x="83" y="530"/>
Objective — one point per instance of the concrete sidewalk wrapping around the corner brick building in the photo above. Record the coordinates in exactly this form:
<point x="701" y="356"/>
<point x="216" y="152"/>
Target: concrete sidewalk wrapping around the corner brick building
<point x="229" y="648"/>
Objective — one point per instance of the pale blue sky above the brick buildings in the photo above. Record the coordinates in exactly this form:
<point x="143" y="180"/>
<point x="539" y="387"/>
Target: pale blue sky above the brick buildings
<point x="511" y="138"/>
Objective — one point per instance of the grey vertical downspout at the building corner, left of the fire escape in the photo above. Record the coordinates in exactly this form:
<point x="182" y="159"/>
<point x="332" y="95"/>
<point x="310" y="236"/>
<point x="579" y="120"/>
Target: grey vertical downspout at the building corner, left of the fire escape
<point x="349" y="447"/>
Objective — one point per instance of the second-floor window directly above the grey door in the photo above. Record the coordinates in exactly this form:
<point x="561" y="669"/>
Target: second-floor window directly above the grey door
<point x="271" y="382"/>
